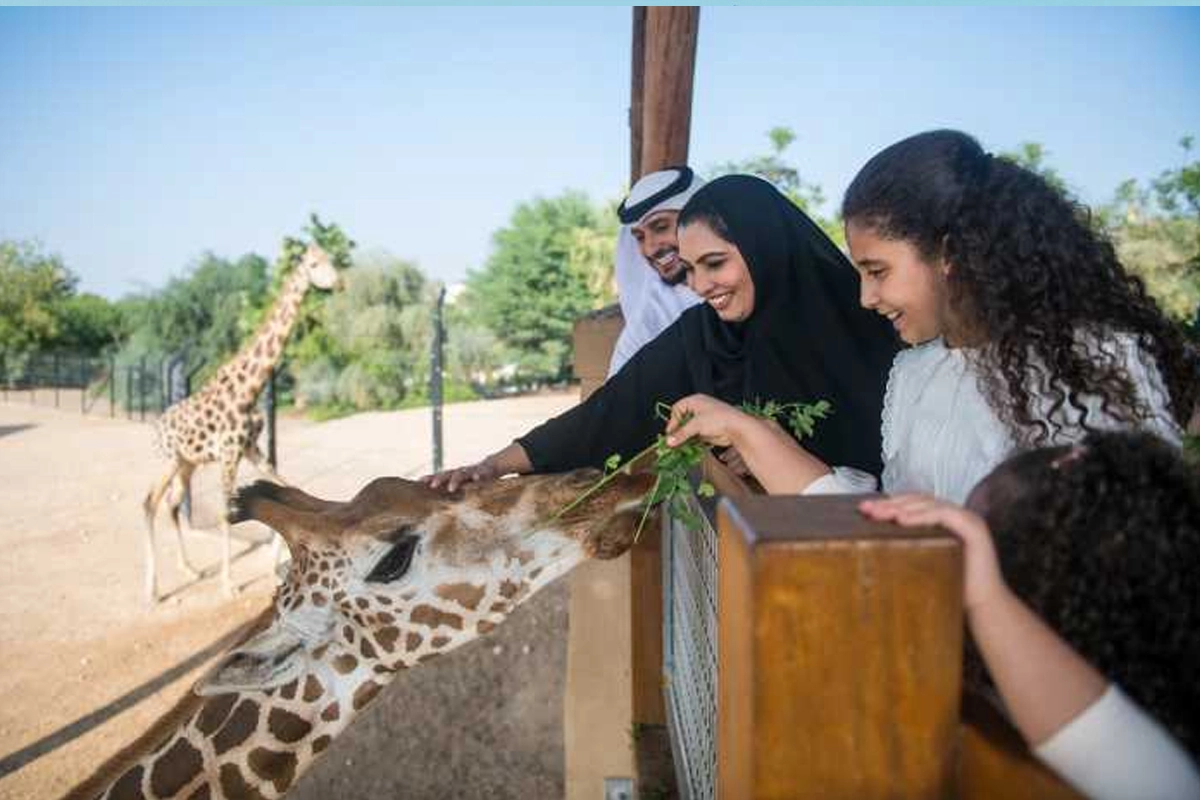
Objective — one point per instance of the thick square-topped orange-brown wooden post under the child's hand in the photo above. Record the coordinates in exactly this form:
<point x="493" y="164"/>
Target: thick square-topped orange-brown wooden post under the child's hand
<point x="839" y="647"/>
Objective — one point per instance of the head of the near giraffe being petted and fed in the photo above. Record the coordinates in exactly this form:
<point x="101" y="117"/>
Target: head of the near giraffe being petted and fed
<point x="403" y="573"/>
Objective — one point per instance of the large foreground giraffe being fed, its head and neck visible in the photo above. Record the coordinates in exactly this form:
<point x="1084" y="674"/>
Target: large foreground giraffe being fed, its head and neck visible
<point x="382" y="584"/>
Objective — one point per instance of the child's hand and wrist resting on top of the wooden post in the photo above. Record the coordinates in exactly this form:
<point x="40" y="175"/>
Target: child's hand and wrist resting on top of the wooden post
<point x="983" y="579"/>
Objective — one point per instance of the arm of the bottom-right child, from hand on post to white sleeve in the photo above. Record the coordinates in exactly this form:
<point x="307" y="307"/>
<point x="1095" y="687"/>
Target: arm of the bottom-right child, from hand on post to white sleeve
<point x="1084" y="729"/>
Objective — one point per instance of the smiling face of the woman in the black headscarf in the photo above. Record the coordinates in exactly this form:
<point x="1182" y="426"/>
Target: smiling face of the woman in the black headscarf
<point x="717" y="273"/>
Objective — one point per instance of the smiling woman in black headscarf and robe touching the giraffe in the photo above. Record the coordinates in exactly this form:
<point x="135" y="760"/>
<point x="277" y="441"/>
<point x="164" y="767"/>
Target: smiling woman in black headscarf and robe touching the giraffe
<point x="779" y="322"/>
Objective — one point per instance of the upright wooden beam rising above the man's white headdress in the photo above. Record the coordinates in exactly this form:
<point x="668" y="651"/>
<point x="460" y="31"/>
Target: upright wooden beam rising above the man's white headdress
<point x="670" y="62"/>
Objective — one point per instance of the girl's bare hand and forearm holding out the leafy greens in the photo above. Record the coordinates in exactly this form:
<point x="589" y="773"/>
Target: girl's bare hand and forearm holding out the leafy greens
<point x="773" y="458"/>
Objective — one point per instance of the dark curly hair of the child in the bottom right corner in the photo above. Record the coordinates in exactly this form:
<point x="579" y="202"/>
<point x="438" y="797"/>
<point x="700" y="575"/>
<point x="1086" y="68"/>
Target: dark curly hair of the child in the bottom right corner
<point x="1102" y="540"/>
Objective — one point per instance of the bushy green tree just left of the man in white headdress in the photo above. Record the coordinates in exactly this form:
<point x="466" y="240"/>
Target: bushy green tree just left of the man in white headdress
<point x="530" y="293"/>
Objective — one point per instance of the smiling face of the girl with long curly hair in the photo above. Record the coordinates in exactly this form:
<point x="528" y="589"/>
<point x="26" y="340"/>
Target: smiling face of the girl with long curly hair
<point x="901" y="285"/>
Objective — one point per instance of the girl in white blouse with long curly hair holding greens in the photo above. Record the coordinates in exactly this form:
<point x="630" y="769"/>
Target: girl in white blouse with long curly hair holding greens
<point x="1025" y="328"/>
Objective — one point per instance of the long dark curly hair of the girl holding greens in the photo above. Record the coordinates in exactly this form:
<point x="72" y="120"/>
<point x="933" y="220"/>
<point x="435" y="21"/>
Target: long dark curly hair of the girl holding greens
<point x="1030" y="275"/>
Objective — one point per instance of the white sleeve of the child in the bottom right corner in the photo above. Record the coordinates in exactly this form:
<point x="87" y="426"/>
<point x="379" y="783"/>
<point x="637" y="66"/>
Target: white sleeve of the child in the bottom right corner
<point x="1115" y="751"/>
